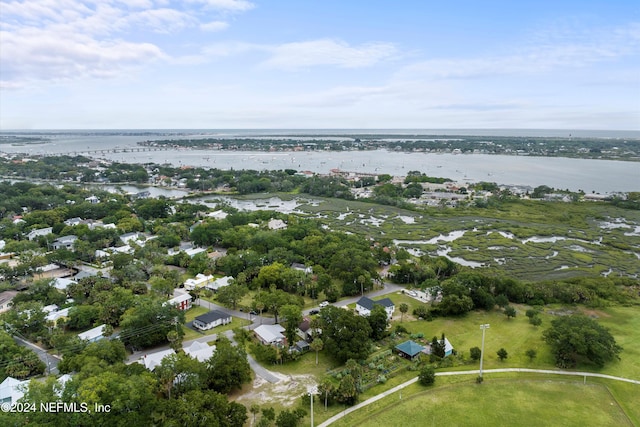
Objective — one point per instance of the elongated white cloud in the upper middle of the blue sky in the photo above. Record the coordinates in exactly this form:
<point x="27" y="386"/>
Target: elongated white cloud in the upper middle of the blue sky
<point x="297" y="55"/>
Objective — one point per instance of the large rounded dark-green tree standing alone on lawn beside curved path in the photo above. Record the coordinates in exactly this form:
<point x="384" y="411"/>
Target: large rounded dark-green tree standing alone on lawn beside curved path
<point x="577" y="337"/>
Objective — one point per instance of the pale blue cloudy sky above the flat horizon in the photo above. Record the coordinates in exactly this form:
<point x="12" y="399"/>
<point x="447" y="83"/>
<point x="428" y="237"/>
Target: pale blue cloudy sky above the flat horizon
<point x="232" y="64"/>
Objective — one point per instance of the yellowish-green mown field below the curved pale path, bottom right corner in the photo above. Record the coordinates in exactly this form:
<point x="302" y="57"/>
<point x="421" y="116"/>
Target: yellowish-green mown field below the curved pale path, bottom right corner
<point x="499" y="402"/>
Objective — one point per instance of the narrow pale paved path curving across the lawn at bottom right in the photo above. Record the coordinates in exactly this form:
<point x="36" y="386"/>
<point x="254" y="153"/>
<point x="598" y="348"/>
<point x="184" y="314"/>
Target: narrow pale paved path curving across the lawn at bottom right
<point x="473" y="372"/>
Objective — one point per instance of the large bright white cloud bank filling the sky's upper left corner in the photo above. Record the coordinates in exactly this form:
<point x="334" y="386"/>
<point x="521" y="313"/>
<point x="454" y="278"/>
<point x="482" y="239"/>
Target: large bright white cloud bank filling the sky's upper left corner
<point x="54" y="40"/>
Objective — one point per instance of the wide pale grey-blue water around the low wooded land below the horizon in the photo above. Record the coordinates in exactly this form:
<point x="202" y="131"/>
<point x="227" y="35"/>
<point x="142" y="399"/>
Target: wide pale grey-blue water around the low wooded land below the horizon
<point x="602" y="176"/>
